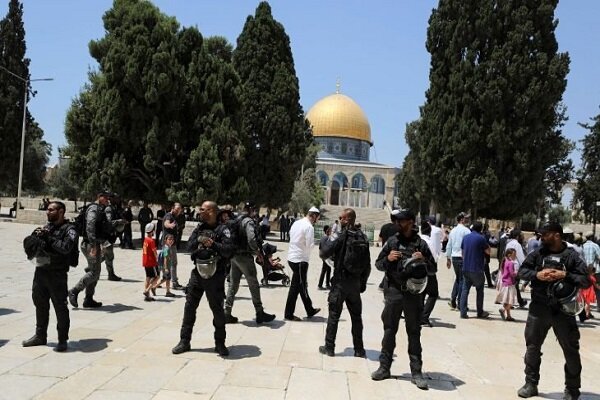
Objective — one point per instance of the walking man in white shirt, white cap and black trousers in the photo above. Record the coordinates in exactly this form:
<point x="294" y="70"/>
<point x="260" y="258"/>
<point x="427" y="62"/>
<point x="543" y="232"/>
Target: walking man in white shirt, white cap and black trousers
<point x="302" y="239"/>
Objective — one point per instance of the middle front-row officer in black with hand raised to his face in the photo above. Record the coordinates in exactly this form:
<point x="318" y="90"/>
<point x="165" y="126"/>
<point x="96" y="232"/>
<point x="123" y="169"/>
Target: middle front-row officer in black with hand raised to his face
<point x="346" y="287"/>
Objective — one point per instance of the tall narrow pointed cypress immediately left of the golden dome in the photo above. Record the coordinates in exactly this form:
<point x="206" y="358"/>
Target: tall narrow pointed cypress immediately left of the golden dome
<point x="273" y="125"/>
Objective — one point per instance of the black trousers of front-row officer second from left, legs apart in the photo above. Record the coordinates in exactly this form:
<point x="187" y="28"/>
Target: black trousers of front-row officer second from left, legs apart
<point x="215" y="294"/>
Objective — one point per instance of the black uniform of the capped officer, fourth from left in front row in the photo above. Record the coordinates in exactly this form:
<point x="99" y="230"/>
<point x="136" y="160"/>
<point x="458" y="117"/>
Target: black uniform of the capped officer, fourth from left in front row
<point x="398" y="300"/>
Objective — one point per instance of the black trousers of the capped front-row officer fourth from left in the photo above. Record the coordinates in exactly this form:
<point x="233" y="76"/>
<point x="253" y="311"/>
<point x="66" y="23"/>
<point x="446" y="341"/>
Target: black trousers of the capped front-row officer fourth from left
<point x="396" y="302"/>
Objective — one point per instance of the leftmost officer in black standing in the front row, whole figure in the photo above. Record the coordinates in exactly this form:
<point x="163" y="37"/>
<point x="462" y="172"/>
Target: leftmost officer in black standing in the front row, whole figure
<point x="58" y="241"/>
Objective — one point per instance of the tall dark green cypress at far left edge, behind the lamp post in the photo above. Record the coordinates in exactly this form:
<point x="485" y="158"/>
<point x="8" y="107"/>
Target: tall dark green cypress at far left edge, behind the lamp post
<point x="12" y="93"/>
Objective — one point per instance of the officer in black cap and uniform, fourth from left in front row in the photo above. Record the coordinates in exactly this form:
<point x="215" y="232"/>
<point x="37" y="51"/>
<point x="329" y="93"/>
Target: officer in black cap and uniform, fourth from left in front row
<point x="401" y="296"/>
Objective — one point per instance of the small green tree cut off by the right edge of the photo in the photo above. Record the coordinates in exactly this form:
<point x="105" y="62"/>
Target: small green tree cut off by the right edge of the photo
<point x="588" y="176"/>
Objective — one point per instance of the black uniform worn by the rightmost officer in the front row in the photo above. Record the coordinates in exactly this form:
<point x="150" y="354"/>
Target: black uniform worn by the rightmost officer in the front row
<point x="543" y="315"/>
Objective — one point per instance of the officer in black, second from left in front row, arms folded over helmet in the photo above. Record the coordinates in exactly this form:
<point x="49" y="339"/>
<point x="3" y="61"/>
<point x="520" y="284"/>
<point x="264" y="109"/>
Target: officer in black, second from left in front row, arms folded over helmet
<point x="211" y="246"/>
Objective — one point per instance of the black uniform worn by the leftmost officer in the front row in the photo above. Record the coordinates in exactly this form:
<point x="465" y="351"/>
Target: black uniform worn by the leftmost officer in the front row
<point x="50" y="278"/>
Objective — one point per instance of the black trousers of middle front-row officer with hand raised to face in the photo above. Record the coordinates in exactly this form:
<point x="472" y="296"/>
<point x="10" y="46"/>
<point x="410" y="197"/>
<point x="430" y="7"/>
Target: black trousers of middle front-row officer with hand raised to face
<point x="345" y="291"/>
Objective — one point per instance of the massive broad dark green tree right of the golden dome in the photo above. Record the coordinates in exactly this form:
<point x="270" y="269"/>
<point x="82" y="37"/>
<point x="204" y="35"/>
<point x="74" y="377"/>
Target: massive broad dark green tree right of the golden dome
<point x="491" y="122"/>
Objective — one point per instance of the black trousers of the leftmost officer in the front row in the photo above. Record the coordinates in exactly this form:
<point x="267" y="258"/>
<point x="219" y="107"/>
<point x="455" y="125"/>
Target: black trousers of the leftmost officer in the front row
<point x="50" y="285"/>
